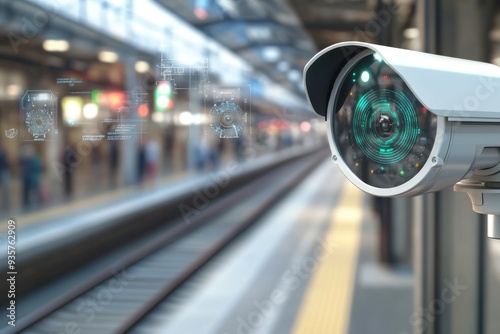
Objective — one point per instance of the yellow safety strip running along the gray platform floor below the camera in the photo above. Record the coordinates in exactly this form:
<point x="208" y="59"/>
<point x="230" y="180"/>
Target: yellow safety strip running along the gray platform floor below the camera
<point x="327" y="303"/>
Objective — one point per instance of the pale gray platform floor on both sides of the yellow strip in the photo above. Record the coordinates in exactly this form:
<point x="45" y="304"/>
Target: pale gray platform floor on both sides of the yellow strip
<point x="238" y="291"/>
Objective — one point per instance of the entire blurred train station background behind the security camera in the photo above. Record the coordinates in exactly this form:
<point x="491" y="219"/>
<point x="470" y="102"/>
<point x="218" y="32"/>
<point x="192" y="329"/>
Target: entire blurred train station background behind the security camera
<point x="162" y="171"/>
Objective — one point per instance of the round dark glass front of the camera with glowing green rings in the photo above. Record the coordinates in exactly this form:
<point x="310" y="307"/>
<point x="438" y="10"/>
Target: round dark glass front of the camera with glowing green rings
<point x="382" y="131"/>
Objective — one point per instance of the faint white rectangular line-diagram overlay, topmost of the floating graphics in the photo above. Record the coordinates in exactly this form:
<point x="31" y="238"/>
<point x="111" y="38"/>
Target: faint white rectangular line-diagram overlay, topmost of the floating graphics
<point x="186" y="73"/>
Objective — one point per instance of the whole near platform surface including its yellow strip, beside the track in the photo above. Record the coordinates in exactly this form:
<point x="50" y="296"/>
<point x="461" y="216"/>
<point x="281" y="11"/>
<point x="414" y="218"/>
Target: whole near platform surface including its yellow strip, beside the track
<point x="310" y="266"/>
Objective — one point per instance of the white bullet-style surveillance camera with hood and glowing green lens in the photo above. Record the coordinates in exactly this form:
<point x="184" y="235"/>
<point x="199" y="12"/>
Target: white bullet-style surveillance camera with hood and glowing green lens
<point x="404" y="123"/>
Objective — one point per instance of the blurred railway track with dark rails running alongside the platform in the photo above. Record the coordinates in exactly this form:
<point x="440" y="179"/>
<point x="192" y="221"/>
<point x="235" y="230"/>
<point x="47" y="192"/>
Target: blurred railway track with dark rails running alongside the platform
<point x="125" y="291"/>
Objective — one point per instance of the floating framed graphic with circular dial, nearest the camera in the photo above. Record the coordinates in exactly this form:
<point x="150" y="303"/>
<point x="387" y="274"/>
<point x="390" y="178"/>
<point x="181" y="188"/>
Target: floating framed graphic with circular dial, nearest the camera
<point x="230" y="111"/>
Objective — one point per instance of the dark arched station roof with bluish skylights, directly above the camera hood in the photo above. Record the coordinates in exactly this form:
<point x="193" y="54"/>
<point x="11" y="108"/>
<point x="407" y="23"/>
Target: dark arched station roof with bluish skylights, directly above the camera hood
<point x="278" y="37"/>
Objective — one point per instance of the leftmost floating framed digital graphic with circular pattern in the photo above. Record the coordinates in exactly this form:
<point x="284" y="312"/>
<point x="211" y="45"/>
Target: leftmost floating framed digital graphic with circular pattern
<point x="38" y="115"/>
